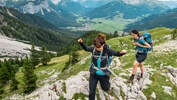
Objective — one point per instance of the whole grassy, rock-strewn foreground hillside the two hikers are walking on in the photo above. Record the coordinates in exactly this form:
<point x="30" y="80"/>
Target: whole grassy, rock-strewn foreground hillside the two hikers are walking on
<point x="159" y="80"/>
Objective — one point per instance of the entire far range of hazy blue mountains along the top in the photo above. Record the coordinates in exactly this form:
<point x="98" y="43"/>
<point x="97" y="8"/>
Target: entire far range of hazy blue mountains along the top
<point x="65" y="13"/>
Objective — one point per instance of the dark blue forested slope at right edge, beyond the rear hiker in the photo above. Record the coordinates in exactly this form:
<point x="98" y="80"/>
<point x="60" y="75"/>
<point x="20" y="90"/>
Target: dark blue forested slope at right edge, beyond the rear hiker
<point x="167" y="19"/>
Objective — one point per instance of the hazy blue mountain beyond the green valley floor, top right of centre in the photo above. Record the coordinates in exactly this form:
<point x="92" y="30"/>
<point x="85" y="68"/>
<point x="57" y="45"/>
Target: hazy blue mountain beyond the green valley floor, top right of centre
<point x="127" y="9"/>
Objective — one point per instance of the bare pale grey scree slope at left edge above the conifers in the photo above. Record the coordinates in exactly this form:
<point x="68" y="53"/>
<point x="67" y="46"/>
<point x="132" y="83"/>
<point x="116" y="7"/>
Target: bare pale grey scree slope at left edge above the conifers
<point x="10" y="48"/>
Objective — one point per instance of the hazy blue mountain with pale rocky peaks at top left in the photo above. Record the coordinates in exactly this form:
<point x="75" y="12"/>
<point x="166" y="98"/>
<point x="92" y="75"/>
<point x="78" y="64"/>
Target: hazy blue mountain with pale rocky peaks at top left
<point x="61" y="13"/>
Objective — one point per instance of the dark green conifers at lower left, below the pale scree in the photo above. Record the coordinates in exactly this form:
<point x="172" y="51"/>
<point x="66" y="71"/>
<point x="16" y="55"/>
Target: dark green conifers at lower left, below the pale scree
<point x="9" y="68"/>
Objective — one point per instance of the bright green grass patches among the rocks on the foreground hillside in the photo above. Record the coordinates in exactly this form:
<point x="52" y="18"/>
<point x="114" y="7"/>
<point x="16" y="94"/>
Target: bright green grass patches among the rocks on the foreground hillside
<point x="155" y="59"/>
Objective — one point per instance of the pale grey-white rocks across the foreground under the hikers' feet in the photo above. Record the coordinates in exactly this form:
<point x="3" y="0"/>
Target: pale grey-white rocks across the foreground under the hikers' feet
<point x="120" y="89"/>
